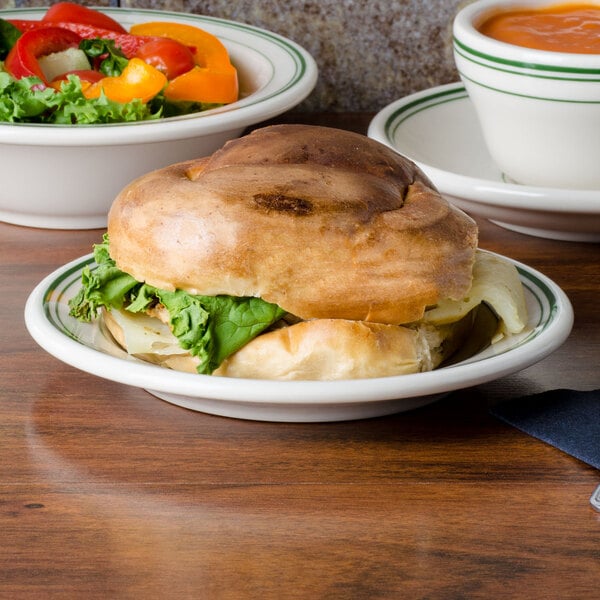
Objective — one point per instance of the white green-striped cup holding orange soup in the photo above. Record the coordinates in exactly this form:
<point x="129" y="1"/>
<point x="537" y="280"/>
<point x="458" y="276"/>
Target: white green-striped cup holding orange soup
<point x="539" y="110"/>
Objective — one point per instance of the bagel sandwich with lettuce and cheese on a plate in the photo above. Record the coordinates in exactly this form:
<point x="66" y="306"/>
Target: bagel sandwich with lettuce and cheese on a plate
<point x="296" y="253"/>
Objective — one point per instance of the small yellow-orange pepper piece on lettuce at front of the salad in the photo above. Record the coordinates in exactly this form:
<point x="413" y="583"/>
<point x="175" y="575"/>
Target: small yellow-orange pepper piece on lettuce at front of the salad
<point x="139" y="80"/>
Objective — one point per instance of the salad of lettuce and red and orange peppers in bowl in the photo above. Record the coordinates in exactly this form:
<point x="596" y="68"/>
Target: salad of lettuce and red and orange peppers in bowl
<point x="77" y="65"/>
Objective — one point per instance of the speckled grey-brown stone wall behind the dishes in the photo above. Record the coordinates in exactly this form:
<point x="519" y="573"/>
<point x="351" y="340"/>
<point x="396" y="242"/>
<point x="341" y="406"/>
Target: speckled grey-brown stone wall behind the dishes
<point x="369" y="53"/>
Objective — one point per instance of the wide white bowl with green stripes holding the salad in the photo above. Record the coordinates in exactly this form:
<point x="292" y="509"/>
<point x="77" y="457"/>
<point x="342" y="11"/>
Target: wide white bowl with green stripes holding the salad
<point x="66" y="177"/>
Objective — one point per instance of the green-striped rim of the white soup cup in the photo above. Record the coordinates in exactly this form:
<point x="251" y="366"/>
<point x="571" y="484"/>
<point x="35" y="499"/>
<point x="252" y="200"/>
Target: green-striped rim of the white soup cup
<point x="468" y="39"/>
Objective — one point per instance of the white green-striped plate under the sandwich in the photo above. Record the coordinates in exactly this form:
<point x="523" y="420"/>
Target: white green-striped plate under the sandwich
<point x="87" y="346"/>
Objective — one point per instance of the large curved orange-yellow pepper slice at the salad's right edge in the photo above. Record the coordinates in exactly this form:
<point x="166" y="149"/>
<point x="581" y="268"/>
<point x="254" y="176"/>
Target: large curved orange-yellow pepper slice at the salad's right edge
<point x="214" y="79"/>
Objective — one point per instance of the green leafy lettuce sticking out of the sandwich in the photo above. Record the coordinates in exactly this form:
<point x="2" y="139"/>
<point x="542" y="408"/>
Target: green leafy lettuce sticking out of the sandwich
<point x="209" y="327"/>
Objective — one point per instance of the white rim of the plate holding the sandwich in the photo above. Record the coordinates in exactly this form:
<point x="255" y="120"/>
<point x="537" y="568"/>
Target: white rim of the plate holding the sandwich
<point x="143" y="375"/>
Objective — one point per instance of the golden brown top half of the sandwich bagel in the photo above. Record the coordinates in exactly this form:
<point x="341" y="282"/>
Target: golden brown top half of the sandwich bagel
<point x="323" y="222"/>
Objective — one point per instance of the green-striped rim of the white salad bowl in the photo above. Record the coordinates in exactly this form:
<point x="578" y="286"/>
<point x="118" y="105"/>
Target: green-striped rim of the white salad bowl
<point x="260" y="105"/>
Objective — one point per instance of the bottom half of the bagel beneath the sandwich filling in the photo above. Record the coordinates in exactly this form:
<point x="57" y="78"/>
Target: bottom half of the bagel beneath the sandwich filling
<point x="320" y="349"/>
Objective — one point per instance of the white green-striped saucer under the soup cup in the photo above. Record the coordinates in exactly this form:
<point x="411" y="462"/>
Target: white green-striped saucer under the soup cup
<point x="438" y="129"/>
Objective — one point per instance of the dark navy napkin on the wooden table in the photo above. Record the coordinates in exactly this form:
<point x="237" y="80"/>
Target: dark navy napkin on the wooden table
<point x="566" y="419"/>
